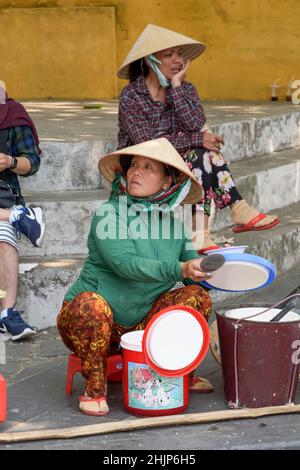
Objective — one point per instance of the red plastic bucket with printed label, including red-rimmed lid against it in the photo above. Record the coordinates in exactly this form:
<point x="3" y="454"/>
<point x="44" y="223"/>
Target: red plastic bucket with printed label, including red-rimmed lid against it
<point x="156" y="363"/>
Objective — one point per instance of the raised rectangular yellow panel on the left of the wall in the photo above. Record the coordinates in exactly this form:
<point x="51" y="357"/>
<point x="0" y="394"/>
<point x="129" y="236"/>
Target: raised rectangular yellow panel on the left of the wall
<point x="60" y="52"/>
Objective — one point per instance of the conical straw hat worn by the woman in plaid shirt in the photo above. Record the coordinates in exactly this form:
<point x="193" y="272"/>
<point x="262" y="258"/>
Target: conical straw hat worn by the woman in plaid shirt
<point x="154" y="39"/>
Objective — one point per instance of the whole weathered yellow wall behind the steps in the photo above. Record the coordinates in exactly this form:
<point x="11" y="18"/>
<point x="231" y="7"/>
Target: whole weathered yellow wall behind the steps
<point x="250" y="43"/>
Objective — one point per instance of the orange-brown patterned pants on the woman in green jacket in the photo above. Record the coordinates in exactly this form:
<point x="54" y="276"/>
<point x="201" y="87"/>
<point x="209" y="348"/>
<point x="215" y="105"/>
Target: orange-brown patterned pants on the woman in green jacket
<point x="87" y="328"/>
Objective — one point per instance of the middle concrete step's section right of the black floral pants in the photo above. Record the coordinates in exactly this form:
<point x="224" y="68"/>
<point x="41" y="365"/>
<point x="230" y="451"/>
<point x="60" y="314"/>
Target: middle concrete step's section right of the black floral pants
<point x="266" y="182"/>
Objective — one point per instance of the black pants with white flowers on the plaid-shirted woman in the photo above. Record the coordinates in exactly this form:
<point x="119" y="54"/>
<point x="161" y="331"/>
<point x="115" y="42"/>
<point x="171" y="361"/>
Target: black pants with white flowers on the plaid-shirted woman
<point x="212" y="171"/>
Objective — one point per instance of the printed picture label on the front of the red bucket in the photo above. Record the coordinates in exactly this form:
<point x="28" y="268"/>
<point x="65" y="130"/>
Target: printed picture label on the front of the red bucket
<point x="148" y="390"/>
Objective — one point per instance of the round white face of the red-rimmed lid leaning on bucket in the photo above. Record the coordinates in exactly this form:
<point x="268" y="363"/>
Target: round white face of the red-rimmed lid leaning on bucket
<point x="174" y="340"/>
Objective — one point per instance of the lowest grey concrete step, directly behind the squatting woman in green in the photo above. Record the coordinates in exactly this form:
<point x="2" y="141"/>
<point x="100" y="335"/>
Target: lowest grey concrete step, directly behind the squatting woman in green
<point x="42" y="290"/>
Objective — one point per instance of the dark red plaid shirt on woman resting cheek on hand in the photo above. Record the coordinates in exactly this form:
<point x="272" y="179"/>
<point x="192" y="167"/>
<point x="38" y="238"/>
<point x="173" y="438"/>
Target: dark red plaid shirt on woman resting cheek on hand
<point x="180" y="118"/>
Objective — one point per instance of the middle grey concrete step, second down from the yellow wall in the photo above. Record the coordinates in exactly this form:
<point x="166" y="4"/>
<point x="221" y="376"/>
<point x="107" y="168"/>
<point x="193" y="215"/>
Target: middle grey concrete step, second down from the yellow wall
<point x="266" y="182"/>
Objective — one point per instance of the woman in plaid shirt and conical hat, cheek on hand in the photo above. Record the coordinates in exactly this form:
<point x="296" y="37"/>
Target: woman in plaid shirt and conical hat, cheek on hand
<point x="158" y="102"/>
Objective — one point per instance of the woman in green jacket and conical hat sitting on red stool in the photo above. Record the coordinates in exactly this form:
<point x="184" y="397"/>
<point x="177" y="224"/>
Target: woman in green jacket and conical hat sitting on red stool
<point x="132" y="263"/>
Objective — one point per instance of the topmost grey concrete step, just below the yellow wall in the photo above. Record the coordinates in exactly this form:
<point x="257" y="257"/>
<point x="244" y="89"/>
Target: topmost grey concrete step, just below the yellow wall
<point x="72" y="145"/>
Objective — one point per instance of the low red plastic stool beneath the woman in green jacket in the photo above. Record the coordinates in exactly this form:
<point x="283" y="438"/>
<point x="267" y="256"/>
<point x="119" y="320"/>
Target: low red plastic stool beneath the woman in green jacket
<point x="114" y="370"/>
